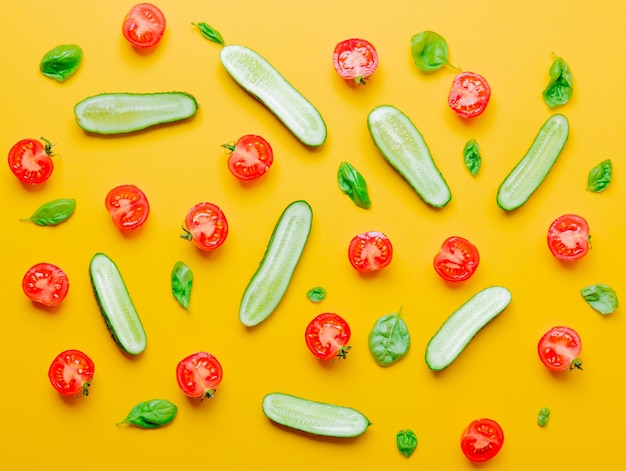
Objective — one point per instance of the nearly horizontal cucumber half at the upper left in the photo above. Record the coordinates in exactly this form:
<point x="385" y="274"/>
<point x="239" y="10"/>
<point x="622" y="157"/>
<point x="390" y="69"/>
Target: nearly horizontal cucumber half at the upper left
<point x="117" y="113"/>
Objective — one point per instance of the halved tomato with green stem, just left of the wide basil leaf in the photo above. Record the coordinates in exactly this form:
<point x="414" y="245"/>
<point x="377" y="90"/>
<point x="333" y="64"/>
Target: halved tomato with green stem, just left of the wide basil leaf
<point x="327" y="336"/>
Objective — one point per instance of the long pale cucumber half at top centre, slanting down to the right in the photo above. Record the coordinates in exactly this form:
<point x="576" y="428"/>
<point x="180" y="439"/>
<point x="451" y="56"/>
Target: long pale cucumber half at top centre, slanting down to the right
<point x="259" y="78"/>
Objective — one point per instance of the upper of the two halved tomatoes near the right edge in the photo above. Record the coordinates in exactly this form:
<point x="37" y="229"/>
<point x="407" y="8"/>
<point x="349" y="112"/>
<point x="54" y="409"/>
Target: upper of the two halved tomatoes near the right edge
<point x="568" y="237"/>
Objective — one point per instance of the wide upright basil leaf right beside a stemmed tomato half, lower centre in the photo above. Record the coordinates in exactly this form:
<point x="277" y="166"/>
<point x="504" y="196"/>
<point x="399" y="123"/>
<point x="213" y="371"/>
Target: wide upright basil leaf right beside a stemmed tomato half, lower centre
<point x="389" y="339"/>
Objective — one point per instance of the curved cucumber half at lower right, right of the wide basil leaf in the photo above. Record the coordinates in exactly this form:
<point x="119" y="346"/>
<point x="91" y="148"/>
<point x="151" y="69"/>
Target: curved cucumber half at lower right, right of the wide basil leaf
<point x="461" y="327"/>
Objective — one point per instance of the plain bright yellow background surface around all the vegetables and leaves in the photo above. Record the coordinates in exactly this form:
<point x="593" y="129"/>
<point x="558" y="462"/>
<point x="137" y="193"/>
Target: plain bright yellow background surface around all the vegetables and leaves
<point x="497" y="376"/>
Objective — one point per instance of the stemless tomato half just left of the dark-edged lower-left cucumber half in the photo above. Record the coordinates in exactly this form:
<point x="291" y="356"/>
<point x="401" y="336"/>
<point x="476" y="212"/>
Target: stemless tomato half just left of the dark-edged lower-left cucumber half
<point x="46" y="284"/>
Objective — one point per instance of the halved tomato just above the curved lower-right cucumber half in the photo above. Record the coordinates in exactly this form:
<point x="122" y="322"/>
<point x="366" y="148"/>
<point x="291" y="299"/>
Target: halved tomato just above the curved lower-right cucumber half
<point x="457" y="260"/>
